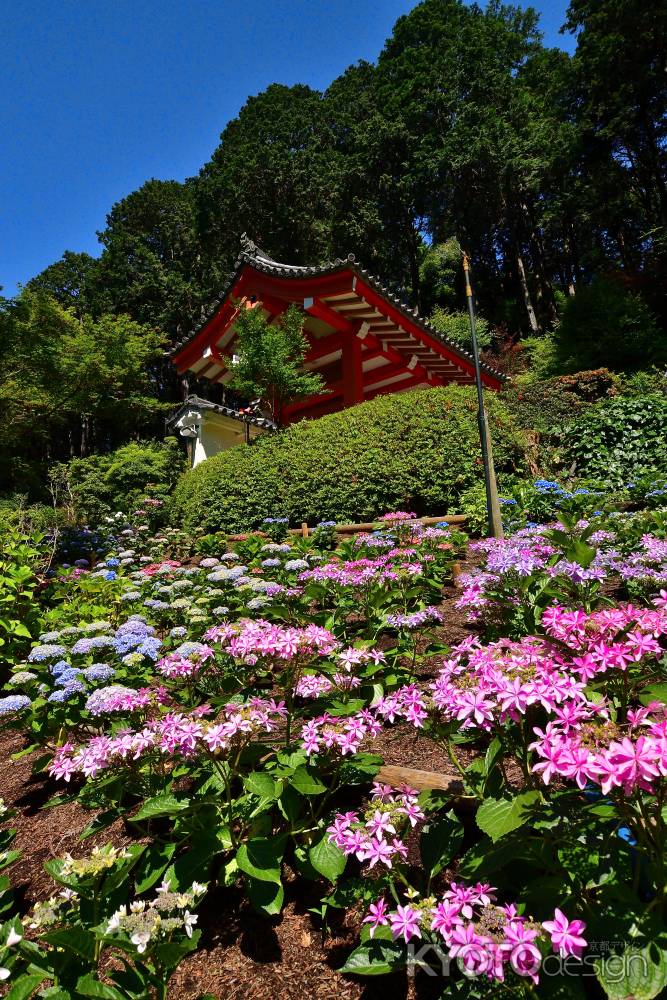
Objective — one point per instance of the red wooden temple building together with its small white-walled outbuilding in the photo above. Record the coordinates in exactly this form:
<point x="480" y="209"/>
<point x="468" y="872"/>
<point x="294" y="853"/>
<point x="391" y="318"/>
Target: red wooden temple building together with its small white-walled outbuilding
<point x="363" y="341"/>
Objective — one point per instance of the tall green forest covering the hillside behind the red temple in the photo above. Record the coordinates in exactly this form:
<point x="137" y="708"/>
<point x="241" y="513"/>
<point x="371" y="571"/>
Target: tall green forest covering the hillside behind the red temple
<point x="467" y="132"/>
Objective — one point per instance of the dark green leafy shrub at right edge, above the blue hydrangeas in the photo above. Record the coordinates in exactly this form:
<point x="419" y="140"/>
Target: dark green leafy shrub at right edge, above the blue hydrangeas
<point x="619" y="439"/>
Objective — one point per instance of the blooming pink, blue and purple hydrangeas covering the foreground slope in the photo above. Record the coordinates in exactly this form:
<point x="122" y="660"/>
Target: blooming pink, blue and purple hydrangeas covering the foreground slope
<point x="235" y="705"/>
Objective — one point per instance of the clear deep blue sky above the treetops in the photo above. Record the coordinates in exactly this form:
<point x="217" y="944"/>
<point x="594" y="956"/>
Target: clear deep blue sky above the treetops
<point x="96" y="96"/>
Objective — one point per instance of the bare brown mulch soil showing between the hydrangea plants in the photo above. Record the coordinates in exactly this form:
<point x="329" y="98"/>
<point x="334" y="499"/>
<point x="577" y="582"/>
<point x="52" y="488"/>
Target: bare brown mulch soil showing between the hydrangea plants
<point x="240" y="954"/>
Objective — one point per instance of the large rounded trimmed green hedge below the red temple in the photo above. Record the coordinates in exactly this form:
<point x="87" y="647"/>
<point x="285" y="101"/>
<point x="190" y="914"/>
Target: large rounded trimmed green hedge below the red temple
<point x="416" y="450"/>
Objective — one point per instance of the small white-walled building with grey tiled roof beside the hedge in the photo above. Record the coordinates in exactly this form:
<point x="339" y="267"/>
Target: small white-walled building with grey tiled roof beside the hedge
<point x="210" y="427"/>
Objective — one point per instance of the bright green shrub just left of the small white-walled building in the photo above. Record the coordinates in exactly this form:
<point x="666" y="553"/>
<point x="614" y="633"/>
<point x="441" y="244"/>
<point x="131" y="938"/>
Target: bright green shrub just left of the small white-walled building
<point x="119" y="480"/>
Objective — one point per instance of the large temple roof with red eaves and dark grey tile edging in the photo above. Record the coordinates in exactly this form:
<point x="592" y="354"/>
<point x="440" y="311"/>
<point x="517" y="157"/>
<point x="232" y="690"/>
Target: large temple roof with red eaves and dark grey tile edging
<point x="341" y="287"/>
